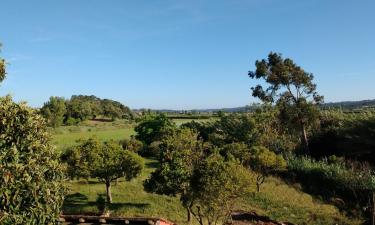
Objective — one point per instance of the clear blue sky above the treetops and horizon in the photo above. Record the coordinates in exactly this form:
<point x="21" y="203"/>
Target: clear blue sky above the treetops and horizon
<point x="182" y="54"/>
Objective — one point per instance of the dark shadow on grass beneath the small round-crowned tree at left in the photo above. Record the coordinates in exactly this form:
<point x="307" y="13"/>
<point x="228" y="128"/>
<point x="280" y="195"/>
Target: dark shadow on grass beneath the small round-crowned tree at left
<point x="77" y="204"/>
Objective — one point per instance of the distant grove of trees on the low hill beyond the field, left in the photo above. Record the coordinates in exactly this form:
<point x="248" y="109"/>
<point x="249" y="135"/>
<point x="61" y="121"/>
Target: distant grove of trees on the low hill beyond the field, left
<point x="60" y="111"/>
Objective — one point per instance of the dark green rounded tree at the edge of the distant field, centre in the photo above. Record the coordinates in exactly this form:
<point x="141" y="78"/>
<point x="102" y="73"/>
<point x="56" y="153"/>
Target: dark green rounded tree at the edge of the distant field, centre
<point x="152" y="128"/>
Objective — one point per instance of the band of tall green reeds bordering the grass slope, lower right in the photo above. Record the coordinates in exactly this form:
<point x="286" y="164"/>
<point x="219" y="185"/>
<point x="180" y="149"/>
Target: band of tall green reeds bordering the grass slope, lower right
<point x="332" y="179"/>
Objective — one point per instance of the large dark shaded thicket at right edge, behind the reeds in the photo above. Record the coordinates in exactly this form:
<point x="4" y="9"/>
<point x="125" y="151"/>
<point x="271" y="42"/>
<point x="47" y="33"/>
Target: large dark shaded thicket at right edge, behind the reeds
<point x="351" y="135"/>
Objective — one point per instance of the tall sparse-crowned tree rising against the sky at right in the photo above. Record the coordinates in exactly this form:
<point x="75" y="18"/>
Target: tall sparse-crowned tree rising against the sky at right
<point x="291" y="88"/>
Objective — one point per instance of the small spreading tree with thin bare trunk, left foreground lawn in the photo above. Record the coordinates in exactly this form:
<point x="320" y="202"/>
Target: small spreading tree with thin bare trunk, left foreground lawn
<point x="105" y="161"/>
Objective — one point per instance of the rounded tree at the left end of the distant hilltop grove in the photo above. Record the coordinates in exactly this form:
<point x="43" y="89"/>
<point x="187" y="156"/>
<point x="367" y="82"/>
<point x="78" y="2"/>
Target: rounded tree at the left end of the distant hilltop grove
<point x="54" y="111"/>
